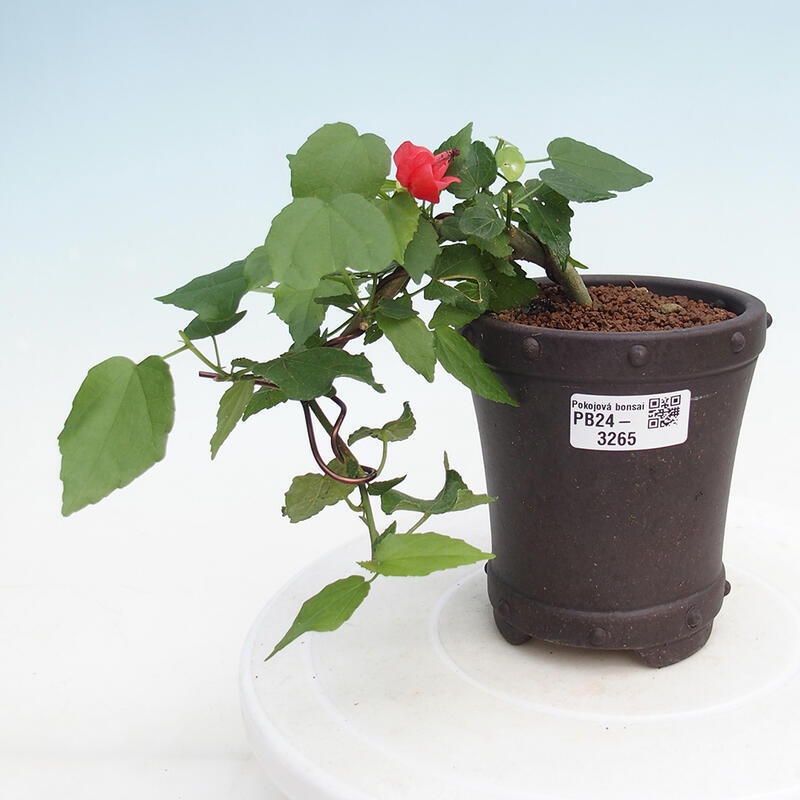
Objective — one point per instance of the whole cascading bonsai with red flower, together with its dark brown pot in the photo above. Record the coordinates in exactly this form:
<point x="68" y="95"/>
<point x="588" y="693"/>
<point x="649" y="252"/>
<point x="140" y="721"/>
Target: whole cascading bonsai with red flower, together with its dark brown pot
<point x="353" y="258"/>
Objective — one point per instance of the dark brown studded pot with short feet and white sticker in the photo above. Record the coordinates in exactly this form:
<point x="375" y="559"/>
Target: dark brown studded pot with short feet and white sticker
<point x="608" y="533"/>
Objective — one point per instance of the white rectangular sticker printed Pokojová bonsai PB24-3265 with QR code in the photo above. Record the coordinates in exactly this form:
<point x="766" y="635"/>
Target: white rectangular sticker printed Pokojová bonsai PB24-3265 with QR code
<point x="629" y="422"/>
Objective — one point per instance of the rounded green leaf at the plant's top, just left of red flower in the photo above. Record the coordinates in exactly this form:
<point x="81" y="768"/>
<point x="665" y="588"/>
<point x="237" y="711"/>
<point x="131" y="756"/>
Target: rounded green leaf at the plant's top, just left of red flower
<point x="336" y="160"/>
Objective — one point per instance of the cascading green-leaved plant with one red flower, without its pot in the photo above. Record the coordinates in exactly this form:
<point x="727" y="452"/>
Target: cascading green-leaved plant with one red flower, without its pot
<point x="354" y="257"/>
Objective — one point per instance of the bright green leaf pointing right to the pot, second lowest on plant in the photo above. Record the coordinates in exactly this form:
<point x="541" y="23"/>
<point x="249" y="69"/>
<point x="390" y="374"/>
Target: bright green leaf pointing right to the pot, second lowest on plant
<point x="416" y="554"/>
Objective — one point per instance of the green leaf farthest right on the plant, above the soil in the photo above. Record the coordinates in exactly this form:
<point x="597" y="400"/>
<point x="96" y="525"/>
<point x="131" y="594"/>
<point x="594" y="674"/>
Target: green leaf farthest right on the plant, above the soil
<point x="589" y="169"/>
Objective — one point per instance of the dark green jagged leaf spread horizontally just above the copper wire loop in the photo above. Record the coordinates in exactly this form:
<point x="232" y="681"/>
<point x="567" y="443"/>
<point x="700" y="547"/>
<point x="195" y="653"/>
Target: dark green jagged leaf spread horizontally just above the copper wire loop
<point x="306" y="374"/>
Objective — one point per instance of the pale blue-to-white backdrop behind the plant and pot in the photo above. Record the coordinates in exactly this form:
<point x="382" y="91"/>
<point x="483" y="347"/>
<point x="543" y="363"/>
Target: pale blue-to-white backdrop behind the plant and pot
<point x="143" y="143"/>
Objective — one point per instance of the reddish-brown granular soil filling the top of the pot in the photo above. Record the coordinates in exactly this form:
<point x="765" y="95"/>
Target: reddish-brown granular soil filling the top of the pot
<point x="616" y="308"/>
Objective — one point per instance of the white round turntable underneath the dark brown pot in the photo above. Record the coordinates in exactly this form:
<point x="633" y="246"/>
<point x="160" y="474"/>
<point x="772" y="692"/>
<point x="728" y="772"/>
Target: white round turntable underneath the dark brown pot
<point x="419" y="698"/>
